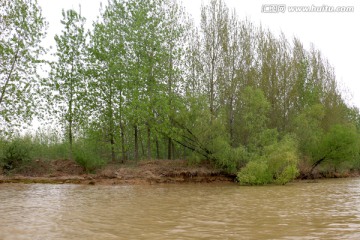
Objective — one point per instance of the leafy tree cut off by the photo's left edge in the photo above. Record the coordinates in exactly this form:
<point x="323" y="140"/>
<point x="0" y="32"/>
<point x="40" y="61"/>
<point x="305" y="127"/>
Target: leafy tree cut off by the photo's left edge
<point x="21" y="29"/>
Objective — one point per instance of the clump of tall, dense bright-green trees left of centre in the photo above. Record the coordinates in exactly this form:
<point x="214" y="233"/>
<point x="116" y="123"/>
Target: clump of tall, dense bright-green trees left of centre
<point x="135" y="54"/>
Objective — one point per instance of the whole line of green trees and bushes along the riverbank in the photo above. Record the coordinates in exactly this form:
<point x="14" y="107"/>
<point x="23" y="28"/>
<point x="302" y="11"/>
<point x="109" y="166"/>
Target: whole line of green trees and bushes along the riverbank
<point x="146" y="83"/>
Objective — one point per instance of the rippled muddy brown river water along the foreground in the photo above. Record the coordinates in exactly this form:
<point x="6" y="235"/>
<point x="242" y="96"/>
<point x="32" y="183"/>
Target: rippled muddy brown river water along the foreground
<point x="327" y="209"/>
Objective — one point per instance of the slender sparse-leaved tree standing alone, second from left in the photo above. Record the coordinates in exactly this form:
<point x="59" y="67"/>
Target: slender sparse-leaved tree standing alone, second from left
<point x="67" y="75"/>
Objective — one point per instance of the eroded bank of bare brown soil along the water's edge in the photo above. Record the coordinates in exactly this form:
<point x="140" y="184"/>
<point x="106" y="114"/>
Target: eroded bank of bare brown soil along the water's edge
<point x="145" y="172"/>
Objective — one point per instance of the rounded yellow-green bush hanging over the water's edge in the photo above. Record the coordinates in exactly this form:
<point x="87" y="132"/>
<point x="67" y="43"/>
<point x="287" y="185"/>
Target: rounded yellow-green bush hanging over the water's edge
<point x="277" y="165"/>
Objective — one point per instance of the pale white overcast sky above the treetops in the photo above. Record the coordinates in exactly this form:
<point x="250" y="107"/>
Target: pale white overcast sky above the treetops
<point x="335" y="34"/>
